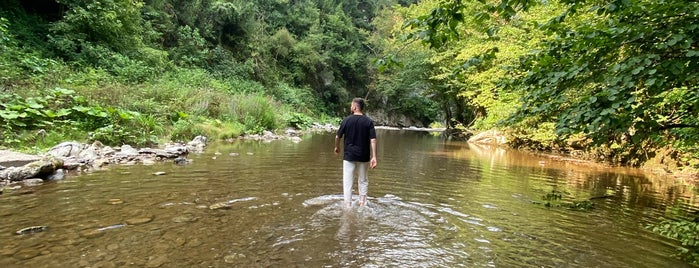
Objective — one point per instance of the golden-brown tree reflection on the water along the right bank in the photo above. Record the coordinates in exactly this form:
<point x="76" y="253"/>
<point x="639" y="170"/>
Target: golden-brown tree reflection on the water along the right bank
<point x="629" y="188"/>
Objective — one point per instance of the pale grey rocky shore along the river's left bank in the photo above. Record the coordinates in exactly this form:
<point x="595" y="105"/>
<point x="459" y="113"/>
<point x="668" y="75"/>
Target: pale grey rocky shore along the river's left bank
<point x="18" y="170"/>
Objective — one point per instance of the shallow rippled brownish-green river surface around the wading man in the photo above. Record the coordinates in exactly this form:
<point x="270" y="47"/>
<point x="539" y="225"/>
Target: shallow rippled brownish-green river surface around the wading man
<point x="433" y="203"/>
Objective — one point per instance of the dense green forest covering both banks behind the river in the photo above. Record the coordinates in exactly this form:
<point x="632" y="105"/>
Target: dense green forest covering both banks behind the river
<point x="612" y="80"/>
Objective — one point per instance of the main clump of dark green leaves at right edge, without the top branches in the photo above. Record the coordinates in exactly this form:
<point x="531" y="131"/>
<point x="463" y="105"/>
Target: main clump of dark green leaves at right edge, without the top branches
<point x="637" y="84"/>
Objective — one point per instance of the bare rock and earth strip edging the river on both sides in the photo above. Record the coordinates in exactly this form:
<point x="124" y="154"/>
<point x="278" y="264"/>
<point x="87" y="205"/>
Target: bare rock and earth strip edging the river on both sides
<point x="73" y="158"/>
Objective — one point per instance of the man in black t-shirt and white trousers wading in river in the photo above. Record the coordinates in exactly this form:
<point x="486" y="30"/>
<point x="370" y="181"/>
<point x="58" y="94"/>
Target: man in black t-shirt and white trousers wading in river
<point x="359" y="151"/>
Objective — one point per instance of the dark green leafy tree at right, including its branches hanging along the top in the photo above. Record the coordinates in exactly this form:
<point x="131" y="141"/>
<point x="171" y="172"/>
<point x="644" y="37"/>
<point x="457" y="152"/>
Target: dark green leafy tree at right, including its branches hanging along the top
<point x="621" y="72"/>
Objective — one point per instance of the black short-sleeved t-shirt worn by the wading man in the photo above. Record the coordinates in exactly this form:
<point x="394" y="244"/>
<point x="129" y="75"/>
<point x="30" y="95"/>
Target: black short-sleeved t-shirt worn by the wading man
<point x="358" y="130"/>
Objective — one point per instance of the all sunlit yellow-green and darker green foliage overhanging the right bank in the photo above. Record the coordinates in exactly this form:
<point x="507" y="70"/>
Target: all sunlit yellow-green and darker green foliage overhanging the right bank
<point x="622" y="73"/>
